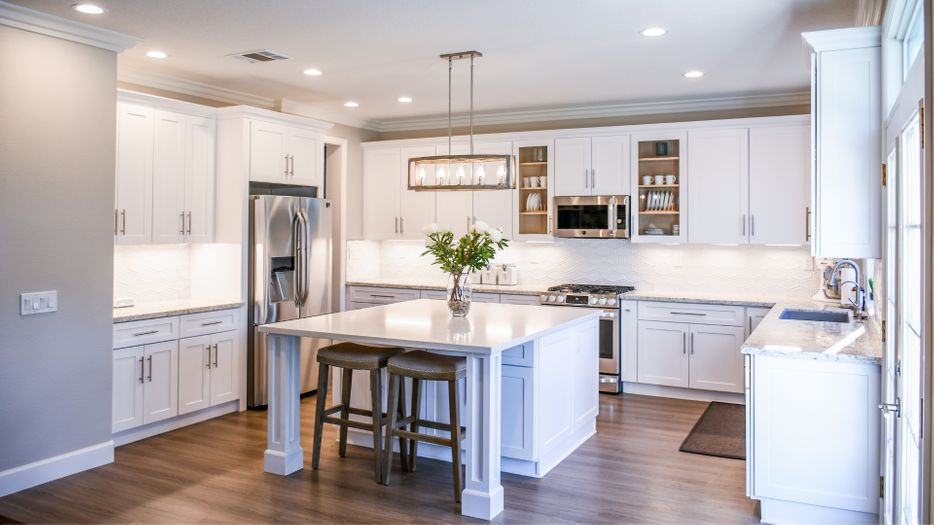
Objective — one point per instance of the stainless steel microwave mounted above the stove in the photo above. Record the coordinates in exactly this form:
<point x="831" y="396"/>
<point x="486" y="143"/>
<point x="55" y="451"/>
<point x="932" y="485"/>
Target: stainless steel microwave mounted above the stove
<point x="603" y="217"/>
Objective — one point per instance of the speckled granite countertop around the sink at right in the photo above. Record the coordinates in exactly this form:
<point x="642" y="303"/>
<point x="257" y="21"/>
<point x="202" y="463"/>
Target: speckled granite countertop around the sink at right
<point x="855" y="341"/>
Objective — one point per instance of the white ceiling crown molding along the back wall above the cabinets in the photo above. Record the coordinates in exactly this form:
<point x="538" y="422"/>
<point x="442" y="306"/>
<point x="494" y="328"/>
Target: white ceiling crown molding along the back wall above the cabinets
<point x="794" y="98"/>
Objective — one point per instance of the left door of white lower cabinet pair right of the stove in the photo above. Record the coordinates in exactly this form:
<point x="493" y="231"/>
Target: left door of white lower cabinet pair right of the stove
<point x="663" y="358"/>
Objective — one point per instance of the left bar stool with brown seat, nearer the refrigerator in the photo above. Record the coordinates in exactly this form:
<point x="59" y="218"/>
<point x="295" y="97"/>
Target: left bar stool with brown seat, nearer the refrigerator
<point x="350" y="357"/>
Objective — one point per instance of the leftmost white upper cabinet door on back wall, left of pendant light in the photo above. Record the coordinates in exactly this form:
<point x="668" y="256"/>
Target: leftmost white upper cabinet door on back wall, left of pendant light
<point x="381" y="193"/>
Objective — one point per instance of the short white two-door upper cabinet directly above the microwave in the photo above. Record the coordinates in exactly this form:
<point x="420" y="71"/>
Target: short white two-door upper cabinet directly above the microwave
<point x="592" y="166"/>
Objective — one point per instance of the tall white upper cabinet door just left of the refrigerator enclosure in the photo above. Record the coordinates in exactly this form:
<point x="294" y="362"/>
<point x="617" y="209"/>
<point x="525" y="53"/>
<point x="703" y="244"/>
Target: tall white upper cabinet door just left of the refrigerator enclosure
<point x="199" y="182"/>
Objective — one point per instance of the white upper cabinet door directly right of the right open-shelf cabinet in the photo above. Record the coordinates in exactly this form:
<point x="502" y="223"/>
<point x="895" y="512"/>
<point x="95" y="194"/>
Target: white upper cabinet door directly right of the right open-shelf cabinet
<point x="718" y="199"/>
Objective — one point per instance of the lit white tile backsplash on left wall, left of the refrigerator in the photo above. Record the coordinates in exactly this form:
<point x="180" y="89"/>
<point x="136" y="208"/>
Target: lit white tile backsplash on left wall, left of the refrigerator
<point x="152" y="272"/>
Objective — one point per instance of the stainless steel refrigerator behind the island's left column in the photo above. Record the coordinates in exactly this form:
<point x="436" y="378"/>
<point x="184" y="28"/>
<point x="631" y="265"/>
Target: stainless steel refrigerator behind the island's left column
<point x="290" y="274"/>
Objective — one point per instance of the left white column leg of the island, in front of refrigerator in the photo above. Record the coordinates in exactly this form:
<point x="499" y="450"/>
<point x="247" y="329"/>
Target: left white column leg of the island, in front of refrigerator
<point x="284" y="454"/>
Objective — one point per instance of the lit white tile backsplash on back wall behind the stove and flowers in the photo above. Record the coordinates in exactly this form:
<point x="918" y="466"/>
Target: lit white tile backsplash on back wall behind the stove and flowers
<point x="742" y="270"/>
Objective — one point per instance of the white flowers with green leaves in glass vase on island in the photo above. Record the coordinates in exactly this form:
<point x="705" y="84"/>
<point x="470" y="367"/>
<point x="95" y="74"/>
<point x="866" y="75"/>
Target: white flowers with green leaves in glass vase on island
<point x="472" y="252"/>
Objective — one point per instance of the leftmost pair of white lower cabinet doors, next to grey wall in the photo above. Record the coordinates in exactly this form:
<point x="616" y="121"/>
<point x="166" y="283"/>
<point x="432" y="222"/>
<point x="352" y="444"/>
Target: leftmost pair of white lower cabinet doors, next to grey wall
<point x="145" y="384"/>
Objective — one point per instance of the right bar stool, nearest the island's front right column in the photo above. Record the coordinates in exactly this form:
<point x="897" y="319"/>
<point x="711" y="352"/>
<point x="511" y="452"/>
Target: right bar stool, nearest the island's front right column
<point x="420" y="365"/>
